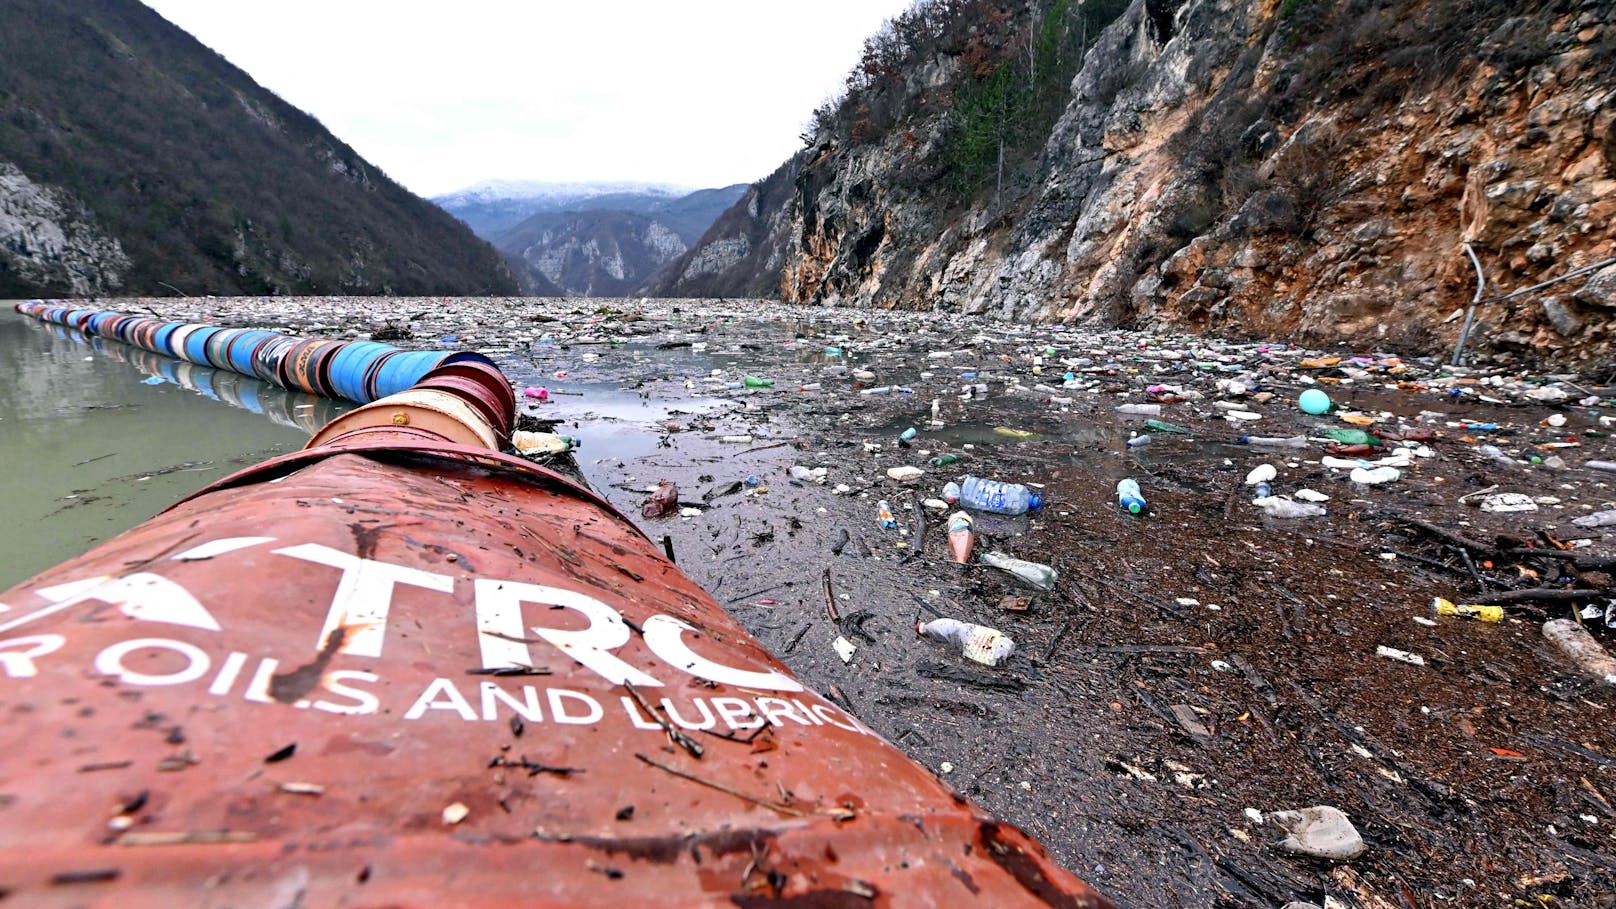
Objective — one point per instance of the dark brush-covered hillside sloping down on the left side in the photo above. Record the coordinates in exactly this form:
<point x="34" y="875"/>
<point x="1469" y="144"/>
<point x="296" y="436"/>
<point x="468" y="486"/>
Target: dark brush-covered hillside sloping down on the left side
<point x="137" y="161"/>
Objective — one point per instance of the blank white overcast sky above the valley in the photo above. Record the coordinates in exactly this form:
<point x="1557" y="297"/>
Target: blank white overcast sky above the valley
<point x="442" y="95"/>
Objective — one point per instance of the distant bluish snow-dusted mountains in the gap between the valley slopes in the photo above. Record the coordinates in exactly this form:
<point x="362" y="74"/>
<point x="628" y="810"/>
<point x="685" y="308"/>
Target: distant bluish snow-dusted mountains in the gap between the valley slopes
<point x="589" y="239"/>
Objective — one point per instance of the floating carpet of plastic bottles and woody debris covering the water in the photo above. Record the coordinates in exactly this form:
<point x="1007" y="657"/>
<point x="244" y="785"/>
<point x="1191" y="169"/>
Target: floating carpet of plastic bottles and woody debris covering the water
<point x="1197" y="666"/>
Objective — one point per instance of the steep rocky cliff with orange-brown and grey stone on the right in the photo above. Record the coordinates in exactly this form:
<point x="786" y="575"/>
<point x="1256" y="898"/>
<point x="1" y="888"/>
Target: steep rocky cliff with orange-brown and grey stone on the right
<point x="1295" y="169"/>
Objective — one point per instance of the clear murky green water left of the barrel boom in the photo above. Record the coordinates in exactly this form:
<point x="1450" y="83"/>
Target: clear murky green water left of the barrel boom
<point x="98" y="436"/>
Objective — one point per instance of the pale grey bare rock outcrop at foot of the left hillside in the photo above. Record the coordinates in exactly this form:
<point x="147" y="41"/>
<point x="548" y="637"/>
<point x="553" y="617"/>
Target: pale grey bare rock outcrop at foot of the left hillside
<point x="49" y="239"/>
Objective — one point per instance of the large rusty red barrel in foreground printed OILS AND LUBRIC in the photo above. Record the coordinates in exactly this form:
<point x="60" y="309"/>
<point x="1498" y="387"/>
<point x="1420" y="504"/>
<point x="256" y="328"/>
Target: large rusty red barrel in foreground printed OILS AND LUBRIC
<point x="418" y="674"/>
